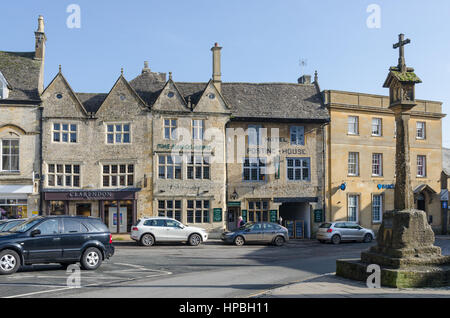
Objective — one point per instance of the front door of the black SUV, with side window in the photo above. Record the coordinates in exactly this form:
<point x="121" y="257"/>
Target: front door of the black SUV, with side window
<point x="45" y="246"/>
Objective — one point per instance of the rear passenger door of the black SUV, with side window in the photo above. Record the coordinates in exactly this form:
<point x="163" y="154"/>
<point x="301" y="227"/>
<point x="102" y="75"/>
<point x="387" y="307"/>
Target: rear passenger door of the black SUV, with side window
<point x="74" y="235"/>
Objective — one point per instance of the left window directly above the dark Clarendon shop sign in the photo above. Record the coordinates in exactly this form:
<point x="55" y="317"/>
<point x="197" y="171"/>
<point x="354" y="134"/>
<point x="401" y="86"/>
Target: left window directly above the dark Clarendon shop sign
<point x="63" y="175"/>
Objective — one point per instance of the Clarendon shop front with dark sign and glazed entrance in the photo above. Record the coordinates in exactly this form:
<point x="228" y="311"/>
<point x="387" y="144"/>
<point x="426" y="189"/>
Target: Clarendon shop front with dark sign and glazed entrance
<point x="116" y="208"/>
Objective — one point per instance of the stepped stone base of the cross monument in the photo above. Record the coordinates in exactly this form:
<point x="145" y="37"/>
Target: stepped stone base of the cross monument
<point x="405" y="254"/>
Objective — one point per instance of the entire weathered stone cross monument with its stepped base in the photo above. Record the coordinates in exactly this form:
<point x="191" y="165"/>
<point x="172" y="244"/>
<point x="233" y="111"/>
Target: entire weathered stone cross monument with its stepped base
<point x="405" y="248"/>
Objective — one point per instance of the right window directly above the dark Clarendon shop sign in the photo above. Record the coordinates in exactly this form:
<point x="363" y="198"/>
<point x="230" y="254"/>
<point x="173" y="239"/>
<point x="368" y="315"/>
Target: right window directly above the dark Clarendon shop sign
<point x="118" y="175"/>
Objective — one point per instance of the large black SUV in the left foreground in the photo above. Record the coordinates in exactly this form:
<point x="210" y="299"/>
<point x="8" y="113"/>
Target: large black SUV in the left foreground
<point x="55" y="239"/>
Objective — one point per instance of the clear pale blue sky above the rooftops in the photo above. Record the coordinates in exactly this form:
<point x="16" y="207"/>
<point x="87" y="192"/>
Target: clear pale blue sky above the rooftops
<point x="348" y="42"/>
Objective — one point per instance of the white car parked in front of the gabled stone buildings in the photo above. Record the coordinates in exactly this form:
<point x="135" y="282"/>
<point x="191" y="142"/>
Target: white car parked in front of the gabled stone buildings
<point x="147" y="231"/>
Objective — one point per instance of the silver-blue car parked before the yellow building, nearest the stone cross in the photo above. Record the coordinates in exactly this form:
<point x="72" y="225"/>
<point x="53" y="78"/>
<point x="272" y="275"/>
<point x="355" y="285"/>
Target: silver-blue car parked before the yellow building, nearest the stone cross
<point x="336" y="232"/>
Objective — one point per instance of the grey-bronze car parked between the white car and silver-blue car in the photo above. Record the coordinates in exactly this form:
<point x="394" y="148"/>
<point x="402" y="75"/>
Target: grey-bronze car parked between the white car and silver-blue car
<point x="260" y="232"/>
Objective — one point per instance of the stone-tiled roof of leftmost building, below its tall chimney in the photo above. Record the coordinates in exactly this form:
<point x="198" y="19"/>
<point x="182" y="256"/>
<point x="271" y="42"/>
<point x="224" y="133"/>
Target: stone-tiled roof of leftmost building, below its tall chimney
<point x="21" y="71"/>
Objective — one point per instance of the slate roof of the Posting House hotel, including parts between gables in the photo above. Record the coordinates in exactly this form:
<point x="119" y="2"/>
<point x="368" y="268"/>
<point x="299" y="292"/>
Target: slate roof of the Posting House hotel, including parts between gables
<point x="248" y="100"/>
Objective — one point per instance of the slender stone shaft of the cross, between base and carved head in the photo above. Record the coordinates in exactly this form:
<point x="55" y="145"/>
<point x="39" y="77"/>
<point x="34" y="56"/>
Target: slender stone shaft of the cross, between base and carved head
<point x="403" y="195"/>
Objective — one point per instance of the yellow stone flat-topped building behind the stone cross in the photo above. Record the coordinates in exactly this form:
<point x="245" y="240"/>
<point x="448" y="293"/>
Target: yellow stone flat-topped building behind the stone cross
<point x="361" y="158"/>
